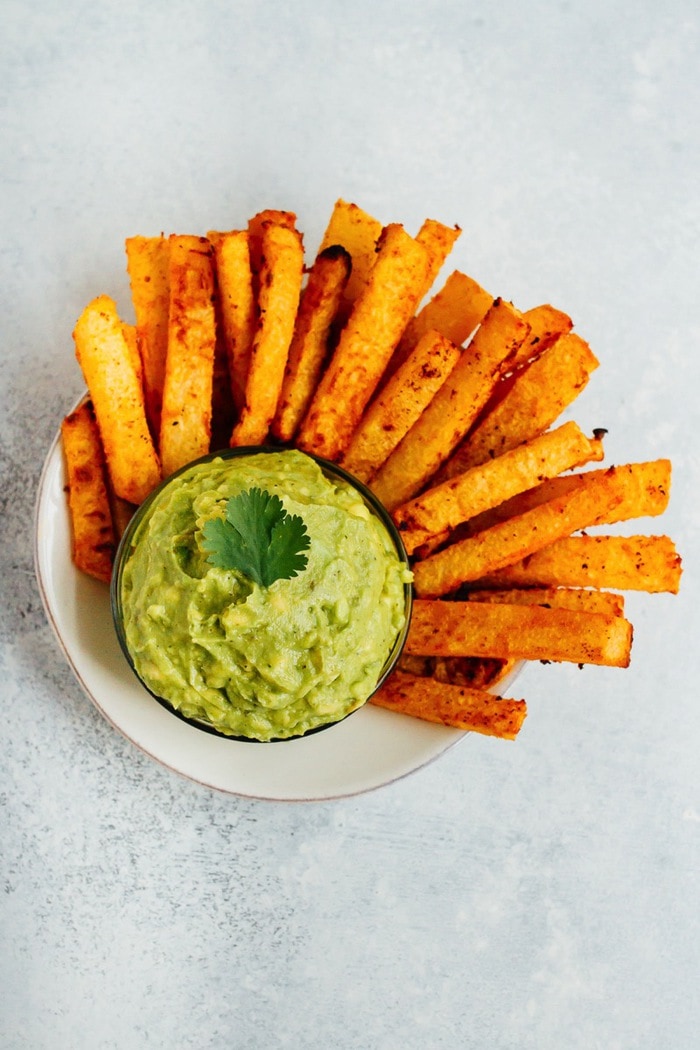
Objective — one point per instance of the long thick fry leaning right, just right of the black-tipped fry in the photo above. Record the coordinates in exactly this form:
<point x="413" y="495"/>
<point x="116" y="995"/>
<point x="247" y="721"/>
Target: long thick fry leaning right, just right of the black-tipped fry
<point x="367" y="343"/>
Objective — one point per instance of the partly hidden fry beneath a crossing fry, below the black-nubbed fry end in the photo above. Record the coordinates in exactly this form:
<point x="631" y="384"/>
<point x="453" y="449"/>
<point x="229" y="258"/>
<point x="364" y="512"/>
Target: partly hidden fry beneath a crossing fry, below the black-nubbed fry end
<point x="645" y="490"/>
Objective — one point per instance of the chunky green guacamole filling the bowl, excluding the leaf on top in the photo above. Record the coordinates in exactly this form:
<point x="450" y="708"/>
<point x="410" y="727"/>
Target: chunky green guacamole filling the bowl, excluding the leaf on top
<point x="259" y="662"/>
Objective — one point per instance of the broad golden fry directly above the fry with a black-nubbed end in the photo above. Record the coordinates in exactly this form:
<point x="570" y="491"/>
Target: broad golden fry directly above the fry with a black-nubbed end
<point x="526" y="405"/>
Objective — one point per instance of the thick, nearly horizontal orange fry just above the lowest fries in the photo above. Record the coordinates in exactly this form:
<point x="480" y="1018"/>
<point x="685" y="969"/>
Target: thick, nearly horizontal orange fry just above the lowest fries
<point x="519" y="633"/>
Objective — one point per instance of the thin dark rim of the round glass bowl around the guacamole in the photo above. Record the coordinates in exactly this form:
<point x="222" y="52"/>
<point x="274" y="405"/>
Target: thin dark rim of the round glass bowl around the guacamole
<point x="333" y="473"/>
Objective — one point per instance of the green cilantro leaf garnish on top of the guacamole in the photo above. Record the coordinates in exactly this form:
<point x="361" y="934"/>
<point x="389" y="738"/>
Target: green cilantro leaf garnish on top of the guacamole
<point x="258" y="537"/>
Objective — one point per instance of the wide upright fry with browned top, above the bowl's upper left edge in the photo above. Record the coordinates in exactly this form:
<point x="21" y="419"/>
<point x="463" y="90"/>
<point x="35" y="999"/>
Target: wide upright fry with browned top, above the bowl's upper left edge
<point x="187" y="392"/>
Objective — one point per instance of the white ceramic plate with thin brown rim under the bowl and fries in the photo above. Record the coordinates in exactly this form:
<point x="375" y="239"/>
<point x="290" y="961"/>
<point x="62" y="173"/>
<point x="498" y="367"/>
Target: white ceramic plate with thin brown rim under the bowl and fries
<point x="370" y="749"/>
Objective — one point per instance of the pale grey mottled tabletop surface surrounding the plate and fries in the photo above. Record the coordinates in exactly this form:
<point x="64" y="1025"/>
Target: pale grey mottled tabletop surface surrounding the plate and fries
<point x="539" y="895"/>
